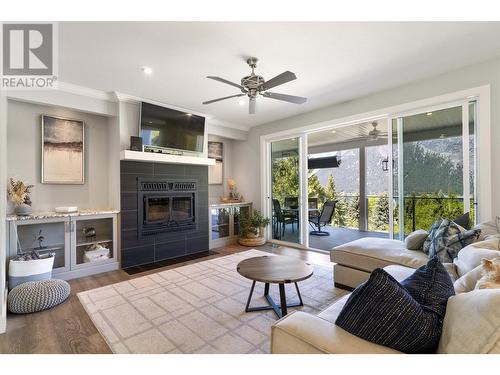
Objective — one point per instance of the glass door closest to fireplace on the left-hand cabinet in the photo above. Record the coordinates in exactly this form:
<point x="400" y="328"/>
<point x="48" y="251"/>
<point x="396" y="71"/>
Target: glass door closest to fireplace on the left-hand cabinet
<point x="93" y="240"/>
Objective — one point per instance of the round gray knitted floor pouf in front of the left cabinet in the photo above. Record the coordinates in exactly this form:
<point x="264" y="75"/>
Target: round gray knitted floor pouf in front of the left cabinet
<point x="36" y="296"/>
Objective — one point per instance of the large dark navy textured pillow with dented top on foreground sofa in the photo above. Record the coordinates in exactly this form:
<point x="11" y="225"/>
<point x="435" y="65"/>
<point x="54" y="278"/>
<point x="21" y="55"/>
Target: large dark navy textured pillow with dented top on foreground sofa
<point x="384" y="312"/>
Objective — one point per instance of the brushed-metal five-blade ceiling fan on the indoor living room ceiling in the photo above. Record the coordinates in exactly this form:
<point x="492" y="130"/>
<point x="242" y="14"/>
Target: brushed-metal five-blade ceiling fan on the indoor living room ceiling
<point x="254" y="85"/>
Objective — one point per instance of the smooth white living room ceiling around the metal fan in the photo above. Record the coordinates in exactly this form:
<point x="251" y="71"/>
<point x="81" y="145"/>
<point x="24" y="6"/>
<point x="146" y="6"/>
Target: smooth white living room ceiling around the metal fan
<point x="334" y="62"/>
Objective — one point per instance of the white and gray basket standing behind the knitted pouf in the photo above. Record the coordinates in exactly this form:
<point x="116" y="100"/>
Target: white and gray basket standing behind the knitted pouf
<point x="22" y="271"/>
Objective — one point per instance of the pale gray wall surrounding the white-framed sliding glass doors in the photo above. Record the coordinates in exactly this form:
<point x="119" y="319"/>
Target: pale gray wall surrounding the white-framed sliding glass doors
<point x="246" y="161"/>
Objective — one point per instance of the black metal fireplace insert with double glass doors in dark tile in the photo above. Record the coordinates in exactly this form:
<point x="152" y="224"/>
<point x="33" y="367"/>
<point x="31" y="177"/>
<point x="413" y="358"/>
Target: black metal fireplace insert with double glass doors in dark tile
<point x="166" y="206"/>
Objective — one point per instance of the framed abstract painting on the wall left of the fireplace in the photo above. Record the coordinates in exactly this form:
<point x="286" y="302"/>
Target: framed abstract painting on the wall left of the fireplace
<point x="63" y="157"/>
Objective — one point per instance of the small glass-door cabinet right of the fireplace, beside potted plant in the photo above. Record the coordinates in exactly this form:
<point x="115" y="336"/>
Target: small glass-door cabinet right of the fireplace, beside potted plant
<point x="225" y="222"/>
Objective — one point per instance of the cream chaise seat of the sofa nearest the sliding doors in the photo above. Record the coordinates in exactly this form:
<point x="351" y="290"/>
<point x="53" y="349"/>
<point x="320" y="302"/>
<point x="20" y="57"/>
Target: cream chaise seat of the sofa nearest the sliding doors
<point x="366" y="254"/>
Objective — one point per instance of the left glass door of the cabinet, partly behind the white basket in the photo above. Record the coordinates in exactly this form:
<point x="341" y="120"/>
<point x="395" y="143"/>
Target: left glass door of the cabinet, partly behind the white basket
<point x="45" y="238"/>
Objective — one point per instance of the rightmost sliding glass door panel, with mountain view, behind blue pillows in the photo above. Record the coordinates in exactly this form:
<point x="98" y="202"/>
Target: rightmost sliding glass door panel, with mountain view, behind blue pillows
<point x="433" y="167"/>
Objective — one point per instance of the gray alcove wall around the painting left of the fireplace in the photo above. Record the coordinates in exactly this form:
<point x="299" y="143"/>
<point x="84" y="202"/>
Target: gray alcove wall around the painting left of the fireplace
<point x="24" y="157"/>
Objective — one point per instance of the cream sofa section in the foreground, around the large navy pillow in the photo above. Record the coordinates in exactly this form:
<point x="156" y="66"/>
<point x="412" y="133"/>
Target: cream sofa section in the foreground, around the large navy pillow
<point x="471" y="325"/>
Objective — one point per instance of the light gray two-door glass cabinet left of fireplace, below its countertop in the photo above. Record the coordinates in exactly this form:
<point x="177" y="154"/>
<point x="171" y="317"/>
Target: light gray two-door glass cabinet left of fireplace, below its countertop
<point x="83" y="244"/>
